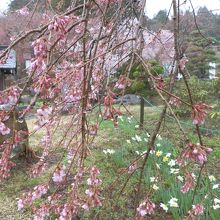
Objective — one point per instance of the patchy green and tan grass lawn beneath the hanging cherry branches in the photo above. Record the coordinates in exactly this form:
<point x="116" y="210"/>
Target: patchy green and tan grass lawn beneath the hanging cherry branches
<point x="128" y="142"/>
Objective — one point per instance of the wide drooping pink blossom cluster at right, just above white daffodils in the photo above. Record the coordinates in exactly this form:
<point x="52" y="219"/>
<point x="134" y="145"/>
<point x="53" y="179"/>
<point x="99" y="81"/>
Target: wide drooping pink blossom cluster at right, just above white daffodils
<point x="194" y="152"/>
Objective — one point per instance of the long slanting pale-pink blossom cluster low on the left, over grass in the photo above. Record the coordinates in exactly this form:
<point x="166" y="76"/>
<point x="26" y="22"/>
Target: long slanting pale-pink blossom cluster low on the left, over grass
<point x="37" y="193"/>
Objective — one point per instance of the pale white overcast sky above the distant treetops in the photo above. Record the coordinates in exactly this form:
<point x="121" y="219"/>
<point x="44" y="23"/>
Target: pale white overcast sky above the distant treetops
<point x="153" y="6"/>
